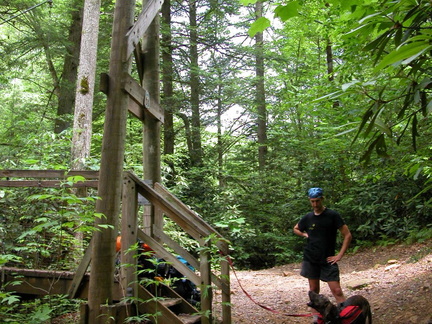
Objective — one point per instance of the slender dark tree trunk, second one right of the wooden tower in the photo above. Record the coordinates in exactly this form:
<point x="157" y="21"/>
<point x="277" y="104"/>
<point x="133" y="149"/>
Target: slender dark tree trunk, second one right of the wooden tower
<point x="196" y="154"/>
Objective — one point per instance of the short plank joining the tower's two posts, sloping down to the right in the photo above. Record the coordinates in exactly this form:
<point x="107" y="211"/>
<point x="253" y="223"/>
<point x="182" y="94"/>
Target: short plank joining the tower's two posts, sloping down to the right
<point x="142" y="98"/>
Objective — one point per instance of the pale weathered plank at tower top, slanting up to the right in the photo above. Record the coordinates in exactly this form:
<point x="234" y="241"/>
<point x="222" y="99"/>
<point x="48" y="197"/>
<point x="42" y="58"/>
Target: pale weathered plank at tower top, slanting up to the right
<point x="144" y="20"/>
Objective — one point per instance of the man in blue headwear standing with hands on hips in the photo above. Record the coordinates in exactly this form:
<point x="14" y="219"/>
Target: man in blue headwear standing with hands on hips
<point x="320" y="228"/>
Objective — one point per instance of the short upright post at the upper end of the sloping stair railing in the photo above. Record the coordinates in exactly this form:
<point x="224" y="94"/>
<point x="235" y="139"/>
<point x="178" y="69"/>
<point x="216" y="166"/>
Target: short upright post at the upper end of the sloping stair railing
<point x="129" y="228"/>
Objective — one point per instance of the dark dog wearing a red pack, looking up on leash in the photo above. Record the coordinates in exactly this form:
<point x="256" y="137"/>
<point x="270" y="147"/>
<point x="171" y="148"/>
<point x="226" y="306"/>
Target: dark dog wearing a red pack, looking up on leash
<point x="355" y="310"/>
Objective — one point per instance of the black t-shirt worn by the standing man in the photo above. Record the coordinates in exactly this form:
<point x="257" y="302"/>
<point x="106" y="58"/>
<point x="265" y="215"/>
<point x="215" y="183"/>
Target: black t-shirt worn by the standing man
<point x="322" y="232"/>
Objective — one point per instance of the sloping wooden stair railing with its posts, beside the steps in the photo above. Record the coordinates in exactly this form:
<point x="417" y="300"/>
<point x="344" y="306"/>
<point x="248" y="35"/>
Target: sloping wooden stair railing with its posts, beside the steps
<point x="165" y="203"/>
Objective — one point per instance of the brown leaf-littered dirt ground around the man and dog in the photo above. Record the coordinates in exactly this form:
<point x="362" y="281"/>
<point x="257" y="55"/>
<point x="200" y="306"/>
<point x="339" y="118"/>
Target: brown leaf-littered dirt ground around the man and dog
<point x="397" y="281"/>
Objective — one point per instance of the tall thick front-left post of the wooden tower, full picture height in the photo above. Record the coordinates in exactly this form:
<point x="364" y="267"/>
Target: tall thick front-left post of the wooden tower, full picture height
<point x="111" y="169"/>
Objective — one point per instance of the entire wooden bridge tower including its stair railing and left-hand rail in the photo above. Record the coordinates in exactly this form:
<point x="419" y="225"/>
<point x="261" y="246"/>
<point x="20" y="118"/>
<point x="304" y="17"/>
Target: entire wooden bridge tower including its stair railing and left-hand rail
<point x="119" y="190"/>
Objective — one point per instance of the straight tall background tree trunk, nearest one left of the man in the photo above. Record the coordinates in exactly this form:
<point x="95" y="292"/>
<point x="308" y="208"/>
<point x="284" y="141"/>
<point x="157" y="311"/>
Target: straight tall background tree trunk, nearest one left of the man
<point x="260" y="92"/>
